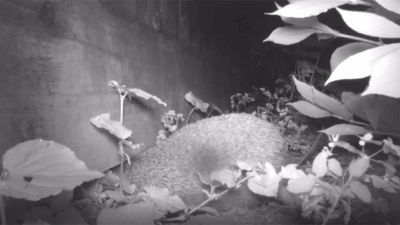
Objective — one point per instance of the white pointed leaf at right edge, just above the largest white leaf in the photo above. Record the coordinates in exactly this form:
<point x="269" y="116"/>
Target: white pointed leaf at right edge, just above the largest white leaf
<point x="370" y="24"/>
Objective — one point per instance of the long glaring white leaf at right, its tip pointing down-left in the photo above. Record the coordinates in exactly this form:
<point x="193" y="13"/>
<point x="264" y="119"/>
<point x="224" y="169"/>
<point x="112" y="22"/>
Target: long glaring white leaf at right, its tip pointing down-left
<point x="362" y="64"/>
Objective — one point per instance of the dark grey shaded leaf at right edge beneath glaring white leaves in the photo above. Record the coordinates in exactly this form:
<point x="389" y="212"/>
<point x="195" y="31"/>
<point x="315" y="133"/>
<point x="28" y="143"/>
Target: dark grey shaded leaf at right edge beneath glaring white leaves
<point x="380" y="111"/>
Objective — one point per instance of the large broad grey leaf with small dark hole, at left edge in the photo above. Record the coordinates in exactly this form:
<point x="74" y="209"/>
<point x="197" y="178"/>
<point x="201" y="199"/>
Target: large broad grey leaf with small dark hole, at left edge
<point x="36" y="169"/>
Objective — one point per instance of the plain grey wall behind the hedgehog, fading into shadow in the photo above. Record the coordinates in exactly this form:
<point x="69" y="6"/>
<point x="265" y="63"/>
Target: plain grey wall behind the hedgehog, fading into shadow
<point x="56" y="58"/>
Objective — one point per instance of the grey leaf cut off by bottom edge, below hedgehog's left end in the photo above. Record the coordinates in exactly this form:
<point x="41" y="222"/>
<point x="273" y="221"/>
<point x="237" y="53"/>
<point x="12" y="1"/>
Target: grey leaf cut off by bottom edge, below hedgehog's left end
<point x="143" y="213"/>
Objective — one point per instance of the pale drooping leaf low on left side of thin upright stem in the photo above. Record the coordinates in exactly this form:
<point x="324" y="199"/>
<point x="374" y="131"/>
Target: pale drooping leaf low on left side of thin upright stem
<point x="116" y="128"/>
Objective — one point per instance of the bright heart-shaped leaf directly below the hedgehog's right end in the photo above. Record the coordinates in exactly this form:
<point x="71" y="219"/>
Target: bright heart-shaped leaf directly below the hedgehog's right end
<point x="266" y="184"/>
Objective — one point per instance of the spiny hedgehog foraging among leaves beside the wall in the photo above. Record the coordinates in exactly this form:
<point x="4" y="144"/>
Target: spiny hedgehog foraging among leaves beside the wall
<point x="208" y="145"/>
